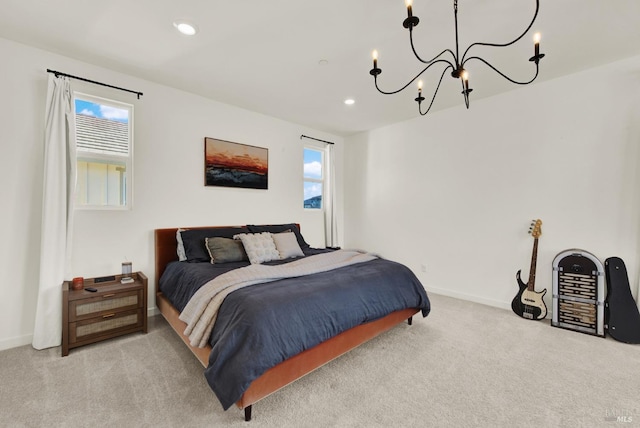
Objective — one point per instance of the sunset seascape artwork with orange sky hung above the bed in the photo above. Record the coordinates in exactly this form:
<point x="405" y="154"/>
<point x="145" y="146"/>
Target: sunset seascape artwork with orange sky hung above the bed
<point x="230" y="164"/>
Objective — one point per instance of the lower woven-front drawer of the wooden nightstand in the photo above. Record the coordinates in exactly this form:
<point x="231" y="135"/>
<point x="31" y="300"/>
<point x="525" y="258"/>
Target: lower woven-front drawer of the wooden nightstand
<point x="109" y="323"/>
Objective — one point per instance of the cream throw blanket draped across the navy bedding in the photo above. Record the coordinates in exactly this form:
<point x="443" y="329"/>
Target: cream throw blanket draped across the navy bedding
<point x="201" y="311"/>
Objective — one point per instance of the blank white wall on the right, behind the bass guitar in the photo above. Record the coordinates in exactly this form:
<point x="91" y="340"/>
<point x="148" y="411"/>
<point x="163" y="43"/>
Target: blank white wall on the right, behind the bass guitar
<point x="455" y="190"/>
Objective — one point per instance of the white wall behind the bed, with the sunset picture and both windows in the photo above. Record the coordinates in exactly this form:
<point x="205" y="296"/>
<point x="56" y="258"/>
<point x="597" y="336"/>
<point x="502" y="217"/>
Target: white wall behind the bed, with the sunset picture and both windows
<point x="170" y="126"/>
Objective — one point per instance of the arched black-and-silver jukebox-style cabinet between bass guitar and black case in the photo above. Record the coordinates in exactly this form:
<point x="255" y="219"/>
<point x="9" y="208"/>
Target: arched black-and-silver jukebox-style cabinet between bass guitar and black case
<point x="578" y="292"/>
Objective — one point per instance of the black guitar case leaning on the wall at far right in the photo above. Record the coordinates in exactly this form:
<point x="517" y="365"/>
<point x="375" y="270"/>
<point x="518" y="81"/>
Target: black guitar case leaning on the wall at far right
<point x="621" y="312"/>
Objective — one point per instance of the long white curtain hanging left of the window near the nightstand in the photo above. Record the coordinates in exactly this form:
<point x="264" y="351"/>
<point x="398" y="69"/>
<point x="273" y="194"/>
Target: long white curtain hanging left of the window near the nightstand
<point x="57" y="211"/>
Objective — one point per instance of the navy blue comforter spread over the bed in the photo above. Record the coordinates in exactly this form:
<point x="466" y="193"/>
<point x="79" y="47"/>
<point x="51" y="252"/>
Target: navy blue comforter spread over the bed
<point x="262" y="325"/>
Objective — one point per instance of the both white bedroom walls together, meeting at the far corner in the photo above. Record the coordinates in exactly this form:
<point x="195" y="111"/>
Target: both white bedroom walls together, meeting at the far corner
<point x="453" y="191"/>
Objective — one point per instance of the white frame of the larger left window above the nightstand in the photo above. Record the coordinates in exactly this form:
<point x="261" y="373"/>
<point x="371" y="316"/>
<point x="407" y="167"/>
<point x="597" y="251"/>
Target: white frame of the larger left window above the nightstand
<point x="105" y="158"/>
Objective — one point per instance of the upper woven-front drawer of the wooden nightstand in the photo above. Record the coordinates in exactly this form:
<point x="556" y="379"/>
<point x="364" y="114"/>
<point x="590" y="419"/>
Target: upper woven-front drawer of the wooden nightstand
<point x="104" y="304"/>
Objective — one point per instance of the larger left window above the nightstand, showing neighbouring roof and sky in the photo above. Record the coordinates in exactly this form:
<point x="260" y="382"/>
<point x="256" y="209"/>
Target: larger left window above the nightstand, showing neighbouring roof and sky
<point x="104" y="142"/>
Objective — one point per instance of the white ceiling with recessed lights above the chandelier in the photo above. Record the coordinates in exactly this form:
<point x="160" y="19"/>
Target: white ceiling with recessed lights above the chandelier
<point x="264" y="55"/>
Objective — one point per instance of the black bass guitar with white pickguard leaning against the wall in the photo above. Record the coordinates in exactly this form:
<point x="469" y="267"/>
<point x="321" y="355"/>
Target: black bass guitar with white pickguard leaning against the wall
<point x="528" y="303"/>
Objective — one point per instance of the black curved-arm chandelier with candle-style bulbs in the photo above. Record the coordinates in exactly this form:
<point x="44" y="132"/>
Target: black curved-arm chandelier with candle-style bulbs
<point x="453" y="61"/>
